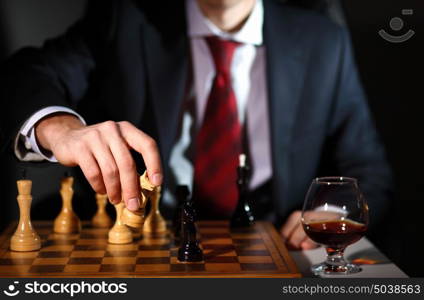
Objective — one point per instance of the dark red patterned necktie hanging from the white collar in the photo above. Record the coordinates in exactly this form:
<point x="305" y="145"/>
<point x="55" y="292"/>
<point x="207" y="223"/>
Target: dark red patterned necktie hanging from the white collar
<point x="218" y="142"/>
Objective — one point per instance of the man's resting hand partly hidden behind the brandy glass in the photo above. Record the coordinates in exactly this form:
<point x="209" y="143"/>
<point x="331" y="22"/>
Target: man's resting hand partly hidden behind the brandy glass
<point x="294" y="235"/>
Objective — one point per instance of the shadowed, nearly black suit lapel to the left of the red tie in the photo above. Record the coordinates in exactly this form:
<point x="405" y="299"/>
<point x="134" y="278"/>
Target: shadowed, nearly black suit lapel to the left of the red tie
<point x="167" y="54"/>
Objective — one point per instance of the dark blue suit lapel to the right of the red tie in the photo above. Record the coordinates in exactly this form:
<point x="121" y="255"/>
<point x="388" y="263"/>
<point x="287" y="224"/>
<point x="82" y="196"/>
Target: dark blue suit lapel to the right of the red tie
<point x="285" y="73"/>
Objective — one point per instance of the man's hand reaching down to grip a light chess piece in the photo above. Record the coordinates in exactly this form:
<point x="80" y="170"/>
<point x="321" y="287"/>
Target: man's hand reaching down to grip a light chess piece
<point x="102" y="151"/>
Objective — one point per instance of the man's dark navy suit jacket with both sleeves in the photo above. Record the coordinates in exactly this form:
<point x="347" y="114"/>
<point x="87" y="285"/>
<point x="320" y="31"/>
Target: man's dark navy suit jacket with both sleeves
<point x="130" y="60"/>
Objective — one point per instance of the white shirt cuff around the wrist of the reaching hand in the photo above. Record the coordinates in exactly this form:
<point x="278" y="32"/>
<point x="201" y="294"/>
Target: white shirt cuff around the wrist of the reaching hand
<point x="26" y="146"/>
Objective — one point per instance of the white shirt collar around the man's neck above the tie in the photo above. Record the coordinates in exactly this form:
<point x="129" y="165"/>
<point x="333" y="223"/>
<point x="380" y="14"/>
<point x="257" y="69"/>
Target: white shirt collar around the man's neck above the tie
<point x="199" y="26"/>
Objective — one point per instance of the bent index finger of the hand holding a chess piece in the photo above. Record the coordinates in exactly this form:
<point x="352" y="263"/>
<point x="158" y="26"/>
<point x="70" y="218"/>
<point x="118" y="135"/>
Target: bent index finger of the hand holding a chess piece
<point x="147" y="147"/>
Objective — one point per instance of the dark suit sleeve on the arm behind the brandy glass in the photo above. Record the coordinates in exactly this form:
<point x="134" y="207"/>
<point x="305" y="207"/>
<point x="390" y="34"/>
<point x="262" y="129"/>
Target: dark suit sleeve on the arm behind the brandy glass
<point x="354" y="143"/>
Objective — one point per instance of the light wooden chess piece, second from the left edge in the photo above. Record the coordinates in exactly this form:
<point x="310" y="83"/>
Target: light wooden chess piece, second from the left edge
<point x="67" y="221"/>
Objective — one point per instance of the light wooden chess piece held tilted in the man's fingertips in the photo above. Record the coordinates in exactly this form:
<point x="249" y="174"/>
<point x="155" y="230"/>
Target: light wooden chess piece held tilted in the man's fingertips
<point x="135" y="219"/>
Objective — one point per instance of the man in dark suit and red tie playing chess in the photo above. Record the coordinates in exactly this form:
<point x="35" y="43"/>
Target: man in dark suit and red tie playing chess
<point x="189" y="85"/>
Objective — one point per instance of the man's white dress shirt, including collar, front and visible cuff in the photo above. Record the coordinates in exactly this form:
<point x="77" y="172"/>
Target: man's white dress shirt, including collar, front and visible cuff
<point x="249" y="85"/>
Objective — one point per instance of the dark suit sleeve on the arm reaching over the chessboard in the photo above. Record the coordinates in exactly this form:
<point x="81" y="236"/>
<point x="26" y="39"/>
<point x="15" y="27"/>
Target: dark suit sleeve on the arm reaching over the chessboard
<point x="57" y="74"/>
